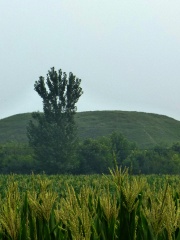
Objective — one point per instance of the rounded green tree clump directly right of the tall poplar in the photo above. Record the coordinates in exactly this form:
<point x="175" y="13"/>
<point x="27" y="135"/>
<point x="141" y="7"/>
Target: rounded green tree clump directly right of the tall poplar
<point x="97" y="155"/>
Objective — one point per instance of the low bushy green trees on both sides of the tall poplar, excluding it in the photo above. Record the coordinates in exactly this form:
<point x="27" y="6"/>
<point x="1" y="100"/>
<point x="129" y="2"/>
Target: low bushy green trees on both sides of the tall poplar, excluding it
<point x="95" y="156"/>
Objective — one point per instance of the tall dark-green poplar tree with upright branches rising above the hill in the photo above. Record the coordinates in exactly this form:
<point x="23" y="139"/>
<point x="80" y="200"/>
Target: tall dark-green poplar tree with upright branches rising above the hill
<point x="52" y="134"/>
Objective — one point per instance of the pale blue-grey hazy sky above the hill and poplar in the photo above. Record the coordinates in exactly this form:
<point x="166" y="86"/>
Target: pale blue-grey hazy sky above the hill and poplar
<point x="126" y="52"/>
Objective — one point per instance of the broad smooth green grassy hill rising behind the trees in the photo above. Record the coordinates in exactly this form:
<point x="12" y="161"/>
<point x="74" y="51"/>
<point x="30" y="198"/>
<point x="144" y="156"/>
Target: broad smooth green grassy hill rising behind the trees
<point x="146" y="129"/>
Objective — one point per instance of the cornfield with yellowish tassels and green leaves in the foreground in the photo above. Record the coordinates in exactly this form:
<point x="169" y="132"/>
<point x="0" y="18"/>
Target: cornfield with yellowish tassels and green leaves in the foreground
<point x="114" y="206"/>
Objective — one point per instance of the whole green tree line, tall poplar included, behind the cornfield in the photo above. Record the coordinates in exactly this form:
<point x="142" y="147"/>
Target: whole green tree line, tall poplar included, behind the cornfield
<point x="54" y="147"/>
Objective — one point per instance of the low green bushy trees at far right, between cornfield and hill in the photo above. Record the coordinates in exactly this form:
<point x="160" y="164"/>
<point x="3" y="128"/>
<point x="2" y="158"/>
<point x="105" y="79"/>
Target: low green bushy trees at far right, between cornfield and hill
<point x="158" y="160"/>
